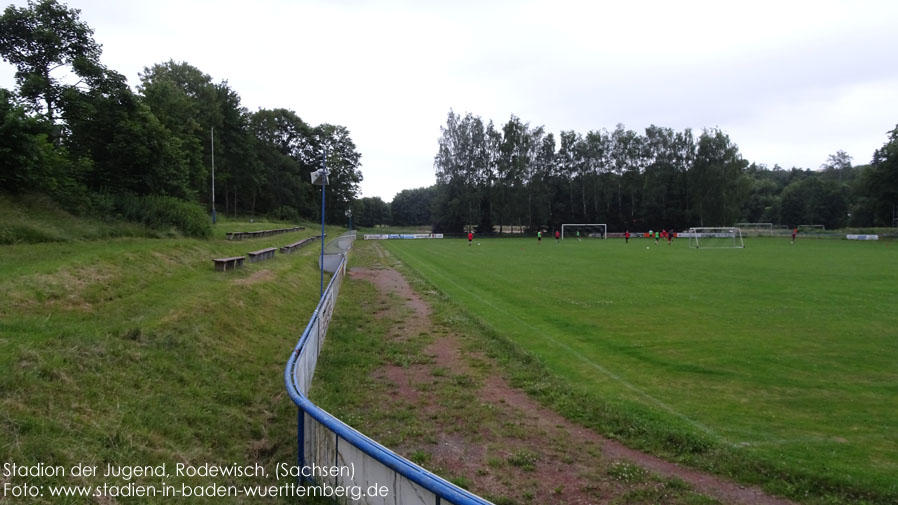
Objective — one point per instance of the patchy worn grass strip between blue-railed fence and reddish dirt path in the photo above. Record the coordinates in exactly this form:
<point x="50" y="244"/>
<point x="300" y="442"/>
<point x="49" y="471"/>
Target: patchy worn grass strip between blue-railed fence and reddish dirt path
<point x="362" y="343"/>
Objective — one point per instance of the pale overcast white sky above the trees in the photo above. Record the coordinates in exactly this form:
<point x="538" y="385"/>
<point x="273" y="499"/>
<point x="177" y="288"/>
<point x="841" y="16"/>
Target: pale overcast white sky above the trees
<point x="791" y="82"/>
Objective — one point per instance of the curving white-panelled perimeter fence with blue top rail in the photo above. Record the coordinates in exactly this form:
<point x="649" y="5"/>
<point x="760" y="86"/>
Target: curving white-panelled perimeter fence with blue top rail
<point x="325" y="442"/>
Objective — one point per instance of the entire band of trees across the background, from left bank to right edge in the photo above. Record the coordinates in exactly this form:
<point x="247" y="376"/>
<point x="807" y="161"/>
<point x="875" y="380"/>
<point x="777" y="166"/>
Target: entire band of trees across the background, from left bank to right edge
<point x="92" y="143"/>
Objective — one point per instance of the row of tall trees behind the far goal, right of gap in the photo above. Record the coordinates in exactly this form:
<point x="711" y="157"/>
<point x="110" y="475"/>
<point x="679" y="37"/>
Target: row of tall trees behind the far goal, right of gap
<point x="490" y="177"/>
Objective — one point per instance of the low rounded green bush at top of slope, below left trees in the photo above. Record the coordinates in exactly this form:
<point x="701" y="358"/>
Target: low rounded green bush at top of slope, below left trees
<point x="160" y="212"/>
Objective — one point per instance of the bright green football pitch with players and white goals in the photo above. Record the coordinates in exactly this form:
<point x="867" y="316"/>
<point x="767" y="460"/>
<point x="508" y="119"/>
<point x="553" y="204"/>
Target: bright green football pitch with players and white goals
<point x="779" y="362"/>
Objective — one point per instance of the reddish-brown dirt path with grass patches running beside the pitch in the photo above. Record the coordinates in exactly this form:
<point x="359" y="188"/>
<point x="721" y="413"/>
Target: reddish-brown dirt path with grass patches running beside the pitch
<point x="503" y="443"/>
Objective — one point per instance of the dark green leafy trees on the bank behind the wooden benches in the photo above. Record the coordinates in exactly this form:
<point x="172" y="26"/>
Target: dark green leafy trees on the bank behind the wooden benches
<point x="89" y="142"/>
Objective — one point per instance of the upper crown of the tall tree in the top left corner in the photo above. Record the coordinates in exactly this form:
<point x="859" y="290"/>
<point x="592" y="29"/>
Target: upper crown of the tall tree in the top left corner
<point x="41" y="38"/>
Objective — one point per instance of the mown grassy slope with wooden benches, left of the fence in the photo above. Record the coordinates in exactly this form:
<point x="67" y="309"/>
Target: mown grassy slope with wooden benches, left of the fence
<point x="134" y="351"/>
